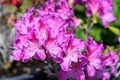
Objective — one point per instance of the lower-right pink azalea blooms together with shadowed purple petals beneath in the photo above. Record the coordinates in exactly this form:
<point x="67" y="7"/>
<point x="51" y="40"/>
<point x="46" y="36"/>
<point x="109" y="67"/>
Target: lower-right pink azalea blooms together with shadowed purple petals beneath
<point x="92" y="64"/>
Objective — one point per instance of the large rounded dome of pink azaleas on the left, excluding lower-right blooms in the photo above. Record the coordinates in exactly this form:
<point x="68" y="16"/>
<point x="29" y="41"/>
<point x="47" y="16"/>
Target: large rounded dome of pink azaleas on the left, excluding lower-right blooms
<point x="42" y="33"/>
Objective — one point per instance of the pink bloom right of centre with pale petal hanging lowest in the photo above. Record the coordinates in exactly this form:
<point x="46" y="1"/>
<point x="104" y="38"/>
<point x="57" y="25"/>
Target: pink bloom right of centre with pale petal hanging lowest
<point x="73" y="51"/>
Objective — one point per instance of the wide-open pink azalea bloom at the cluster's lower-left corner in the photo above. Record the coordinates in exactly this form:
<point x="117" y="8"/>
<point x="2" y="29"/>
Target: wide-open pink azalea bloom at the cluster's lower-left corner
<point x="27" y="47"/>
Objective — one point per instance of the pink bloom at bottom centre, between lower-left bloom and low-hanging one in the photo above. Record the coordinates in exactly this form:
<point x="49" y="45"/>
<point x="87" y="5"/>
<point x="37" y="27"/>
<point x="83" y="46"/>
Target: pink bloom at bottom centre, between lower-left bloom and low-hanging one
<point x="56" y="46"/>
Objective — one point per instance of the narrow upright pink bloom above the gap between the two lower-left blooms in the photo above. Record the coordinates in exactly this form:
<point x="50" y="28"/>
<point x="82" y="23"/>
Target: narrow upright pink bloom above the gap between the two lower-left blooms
<point x="40" y="30"/>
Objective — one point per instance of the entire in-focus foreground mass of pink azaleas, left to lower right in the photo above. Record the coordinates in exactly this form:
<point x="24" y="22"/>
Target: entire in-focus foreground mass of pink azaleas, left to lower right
<point x="48" y="32"/>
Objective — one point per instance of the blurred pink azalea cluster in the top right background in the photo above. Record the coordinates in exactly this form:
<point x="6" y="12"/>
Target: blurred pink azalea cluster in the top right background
<point x="98" y="8"/>
